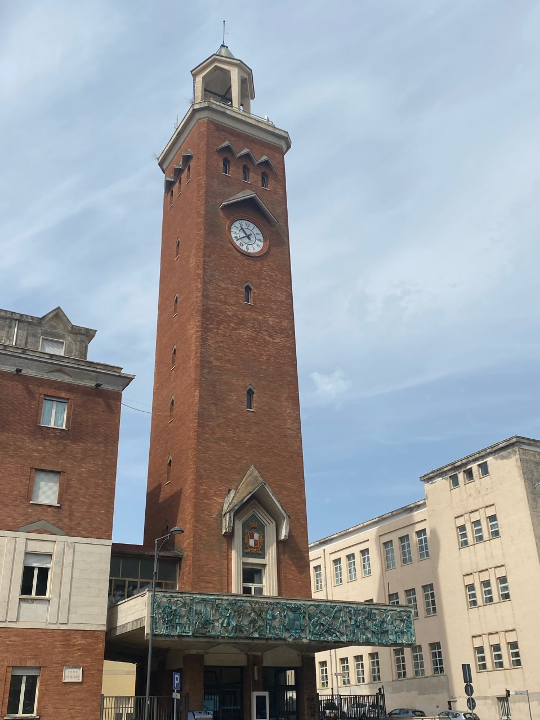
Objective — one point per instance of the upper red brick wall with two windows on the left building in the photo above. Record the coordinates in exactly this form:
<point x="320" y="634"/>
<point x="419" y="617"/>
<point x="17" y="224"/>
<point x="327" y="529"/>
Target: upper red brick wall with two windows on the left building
<point x="85" y="453"/>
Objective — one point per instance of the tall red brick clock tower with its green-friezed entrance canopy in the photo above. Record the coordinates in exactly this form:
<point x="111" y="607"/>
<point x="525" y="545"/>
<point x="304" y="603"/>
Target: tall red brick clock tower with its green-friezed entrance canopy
<point x="226" y="448"/>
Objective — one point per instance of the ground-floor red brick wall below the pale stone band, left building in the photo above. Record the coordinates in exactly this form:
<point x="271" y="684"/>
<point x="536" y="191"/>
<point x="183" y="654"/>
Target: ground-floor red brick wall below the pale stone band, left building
<point x="51" y="650"/>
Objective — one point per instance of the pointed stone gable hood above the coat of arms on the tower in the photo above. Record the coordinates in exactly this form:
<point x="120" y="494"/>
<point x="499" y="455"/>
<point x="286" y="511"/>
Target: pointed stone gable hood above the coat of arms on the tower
<point x="253" y="487"/>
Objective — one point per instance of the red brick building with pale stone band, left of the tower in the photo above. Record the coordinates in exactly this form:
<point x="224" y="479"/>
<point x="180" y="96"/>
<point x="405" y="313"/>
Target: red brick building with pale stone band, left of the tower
<point x="59" y="423"/>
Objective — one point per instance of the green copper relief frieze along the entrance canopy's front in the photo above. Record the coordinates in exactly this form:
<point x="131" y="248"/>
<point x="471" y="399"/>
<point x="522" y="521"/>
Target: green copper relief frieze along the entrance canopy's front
<point x="244" y="618"/>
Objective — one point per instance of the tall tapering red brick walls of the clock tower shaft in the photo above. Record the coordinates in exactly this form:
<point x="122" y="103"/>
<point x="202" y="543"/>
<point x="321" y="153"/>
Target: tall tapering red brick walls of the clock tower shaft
<point x="222" y="346"/>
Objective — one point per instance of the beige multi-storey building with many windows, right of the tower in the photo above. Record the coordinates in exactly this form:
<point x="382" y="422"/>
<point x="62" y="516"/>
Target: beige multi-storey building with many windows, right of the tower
<point x="467" y="560"/>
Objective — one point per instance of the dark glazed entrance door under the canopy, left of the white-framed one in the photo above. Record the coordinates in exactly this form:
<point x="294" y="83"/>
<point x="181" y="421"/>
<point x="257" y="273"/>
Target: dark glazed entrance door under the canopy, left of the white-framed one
<point x="223" y="692"/>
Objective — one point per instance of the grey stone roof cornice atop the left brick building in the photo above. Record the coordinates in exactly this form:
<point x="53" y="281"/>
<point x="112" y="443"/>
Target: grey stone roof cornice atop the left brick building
<point x="63" y="369"/>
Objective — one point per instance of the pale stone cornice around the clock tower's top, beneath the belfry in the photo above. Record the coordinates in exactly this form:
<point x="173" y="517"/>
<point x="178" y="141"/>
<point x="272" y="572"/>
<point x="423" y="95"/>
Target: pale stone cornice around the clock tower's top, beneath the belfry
<point x="225" y="115"/>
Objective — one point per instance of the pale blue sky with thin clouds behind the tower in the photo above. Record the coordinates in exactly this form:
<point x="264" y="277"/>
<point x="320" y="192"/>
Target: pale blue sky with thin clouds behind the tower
<point x="413" y="185"/>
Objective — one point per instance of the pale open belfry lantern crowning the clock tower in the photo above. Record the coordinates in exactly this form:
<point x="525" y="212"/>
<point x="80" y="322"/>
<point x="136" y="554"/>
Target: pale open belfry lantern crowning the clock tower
<point x="225" y="79"/>
